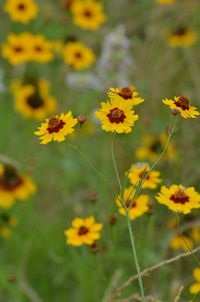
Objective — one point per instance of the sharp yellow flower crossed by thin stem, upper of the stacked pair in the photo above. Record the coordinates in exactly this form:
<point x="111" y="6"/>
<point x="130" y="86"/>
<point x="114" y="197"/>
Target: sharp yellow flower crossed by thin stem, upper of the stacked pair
<point x="138" y="172"/>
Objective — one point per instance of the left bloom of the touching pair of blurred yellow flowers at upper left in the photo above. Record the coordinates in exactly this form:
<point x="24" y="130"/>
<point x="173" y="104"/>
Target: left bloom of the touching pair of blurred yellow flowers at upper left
<point x="17" y="48"/>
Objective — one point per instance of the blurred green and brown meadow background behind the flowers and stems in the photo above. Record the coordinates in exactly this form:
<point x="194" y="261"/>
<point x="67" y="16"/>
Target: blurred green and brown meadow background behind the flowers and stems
<point x="132" y="48"/>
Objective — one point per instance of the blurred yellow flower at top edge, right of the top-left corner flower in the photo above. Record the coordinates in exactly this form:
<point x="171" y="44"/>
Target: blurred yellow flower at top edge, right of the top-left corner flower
<point x="88" y="14"/>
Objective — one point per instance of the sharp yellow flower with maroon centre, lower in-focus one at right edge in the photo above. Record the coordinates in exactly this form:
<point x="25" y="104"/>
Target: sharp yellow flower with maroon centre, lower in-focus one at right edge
<point x="179" y="199"/>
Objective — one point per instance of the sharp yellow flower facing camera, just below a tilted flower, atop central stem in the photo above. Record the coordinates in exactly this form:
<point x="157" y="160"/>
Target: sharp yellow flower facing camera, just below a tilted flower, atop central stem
<point x="116" y="116"/>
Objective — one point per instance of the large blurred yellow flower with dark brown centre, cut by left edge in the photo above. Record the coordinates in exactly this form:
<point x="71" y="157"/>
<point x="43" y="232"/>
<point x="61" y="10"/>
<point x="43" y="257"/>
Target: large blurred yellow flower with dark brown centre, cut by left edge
<point x="14" y="186"/>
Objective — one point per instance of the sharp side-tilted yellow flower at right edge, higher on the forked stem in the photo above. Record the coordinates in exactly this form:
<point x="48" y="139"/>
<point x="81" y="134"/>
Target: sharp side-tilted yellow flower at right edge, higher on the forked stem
<point x="182" y="104"/>
